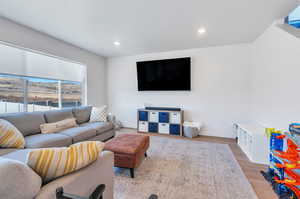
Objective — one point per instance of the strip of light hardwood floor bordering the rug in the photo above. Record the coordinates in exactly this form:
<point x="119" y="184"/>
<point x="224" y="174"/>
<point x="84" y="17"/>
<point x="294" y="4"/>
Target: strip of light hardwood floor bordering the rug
<point x="251" y="170"/>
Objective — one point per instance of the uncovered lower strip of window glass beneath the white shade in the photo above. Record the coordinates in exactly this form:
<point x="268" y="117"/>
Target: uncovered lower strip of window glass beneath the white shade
<point x="19" y="94"/>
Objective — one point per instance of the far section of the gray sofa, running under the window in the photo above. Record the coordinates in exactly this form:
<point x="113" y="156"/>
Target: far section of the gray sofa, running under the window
<point x="29" y="125"/>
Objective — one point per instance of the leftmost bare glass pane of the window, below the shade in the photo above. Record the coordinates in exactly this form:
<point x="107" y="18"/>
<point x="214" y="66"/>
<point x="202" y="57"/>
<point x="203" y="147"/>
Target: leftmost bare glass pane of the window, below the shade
<point x="11" y="94"/>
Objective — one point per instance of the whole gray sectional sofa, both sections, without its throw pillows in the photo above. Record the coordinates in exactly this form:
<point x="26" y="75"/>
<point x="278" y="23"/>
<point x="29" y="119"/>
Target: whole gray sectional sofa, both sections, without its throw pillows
<point x="81" y="182"/>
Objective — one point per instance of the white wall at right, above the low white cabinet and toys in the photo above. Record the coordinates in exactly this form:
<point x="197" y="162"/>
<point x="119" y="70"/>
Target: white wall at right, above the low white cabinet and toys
<point x="276" y="78"/>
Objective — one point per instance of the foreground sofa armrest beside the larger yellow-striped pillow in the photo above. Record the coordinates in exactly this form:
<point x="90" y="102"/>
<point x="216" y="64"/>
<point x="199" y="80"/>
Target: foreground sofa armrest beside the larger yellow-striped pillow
<point x="84" y="181"/>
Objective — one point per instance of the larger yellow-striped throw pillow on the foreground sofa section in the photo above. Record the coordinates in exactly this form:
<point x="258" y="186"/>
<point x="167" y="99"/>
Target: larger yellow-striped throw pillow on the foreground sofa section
<point x="51" y="163"/>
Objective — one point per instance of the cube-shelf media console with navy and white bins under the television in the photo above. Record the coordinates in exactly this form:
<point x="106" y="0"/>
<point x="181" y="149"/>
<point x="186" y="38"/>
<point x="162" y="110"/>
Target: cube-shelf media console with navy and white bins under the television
<point x="160" y="120"/>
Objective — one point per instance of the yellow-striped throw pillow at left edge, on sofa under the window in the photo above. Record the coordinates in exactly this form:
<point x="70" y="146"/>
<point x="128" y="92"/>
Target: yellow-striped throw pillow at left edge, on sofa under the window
<point x="10" y="136"/>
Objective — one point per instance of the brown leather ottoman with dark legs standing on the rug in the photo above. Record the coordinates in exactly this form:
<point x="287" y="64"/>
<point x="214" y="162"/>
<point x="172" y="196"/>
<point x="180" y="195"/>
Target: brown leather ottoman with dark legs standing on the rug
<point x="129" y="150"/>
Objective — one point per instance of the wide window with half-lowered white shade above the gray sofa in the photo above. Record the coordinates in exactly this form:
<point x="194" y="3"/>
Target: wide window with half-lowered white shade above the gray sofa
<point x="32" y="81"/>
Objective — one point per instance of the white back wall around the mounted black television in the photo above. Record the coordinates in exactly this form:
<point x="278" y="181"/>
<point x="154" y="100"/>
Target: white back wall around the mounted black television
<point x="220" y="88"/>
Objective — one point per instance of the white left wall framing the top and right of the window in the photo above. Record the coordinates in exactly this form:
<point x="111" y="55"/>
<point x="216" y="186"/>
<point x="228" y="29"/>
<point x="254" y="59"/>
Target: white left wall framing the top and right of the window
<point x="22" y="36"/>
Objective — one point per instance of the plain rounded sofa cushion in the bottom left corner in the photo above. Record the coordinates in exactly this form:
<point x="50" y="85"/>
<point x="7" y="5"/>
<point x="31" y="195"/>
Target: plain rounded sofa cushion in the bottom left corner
<point x="19" y="181"/>
